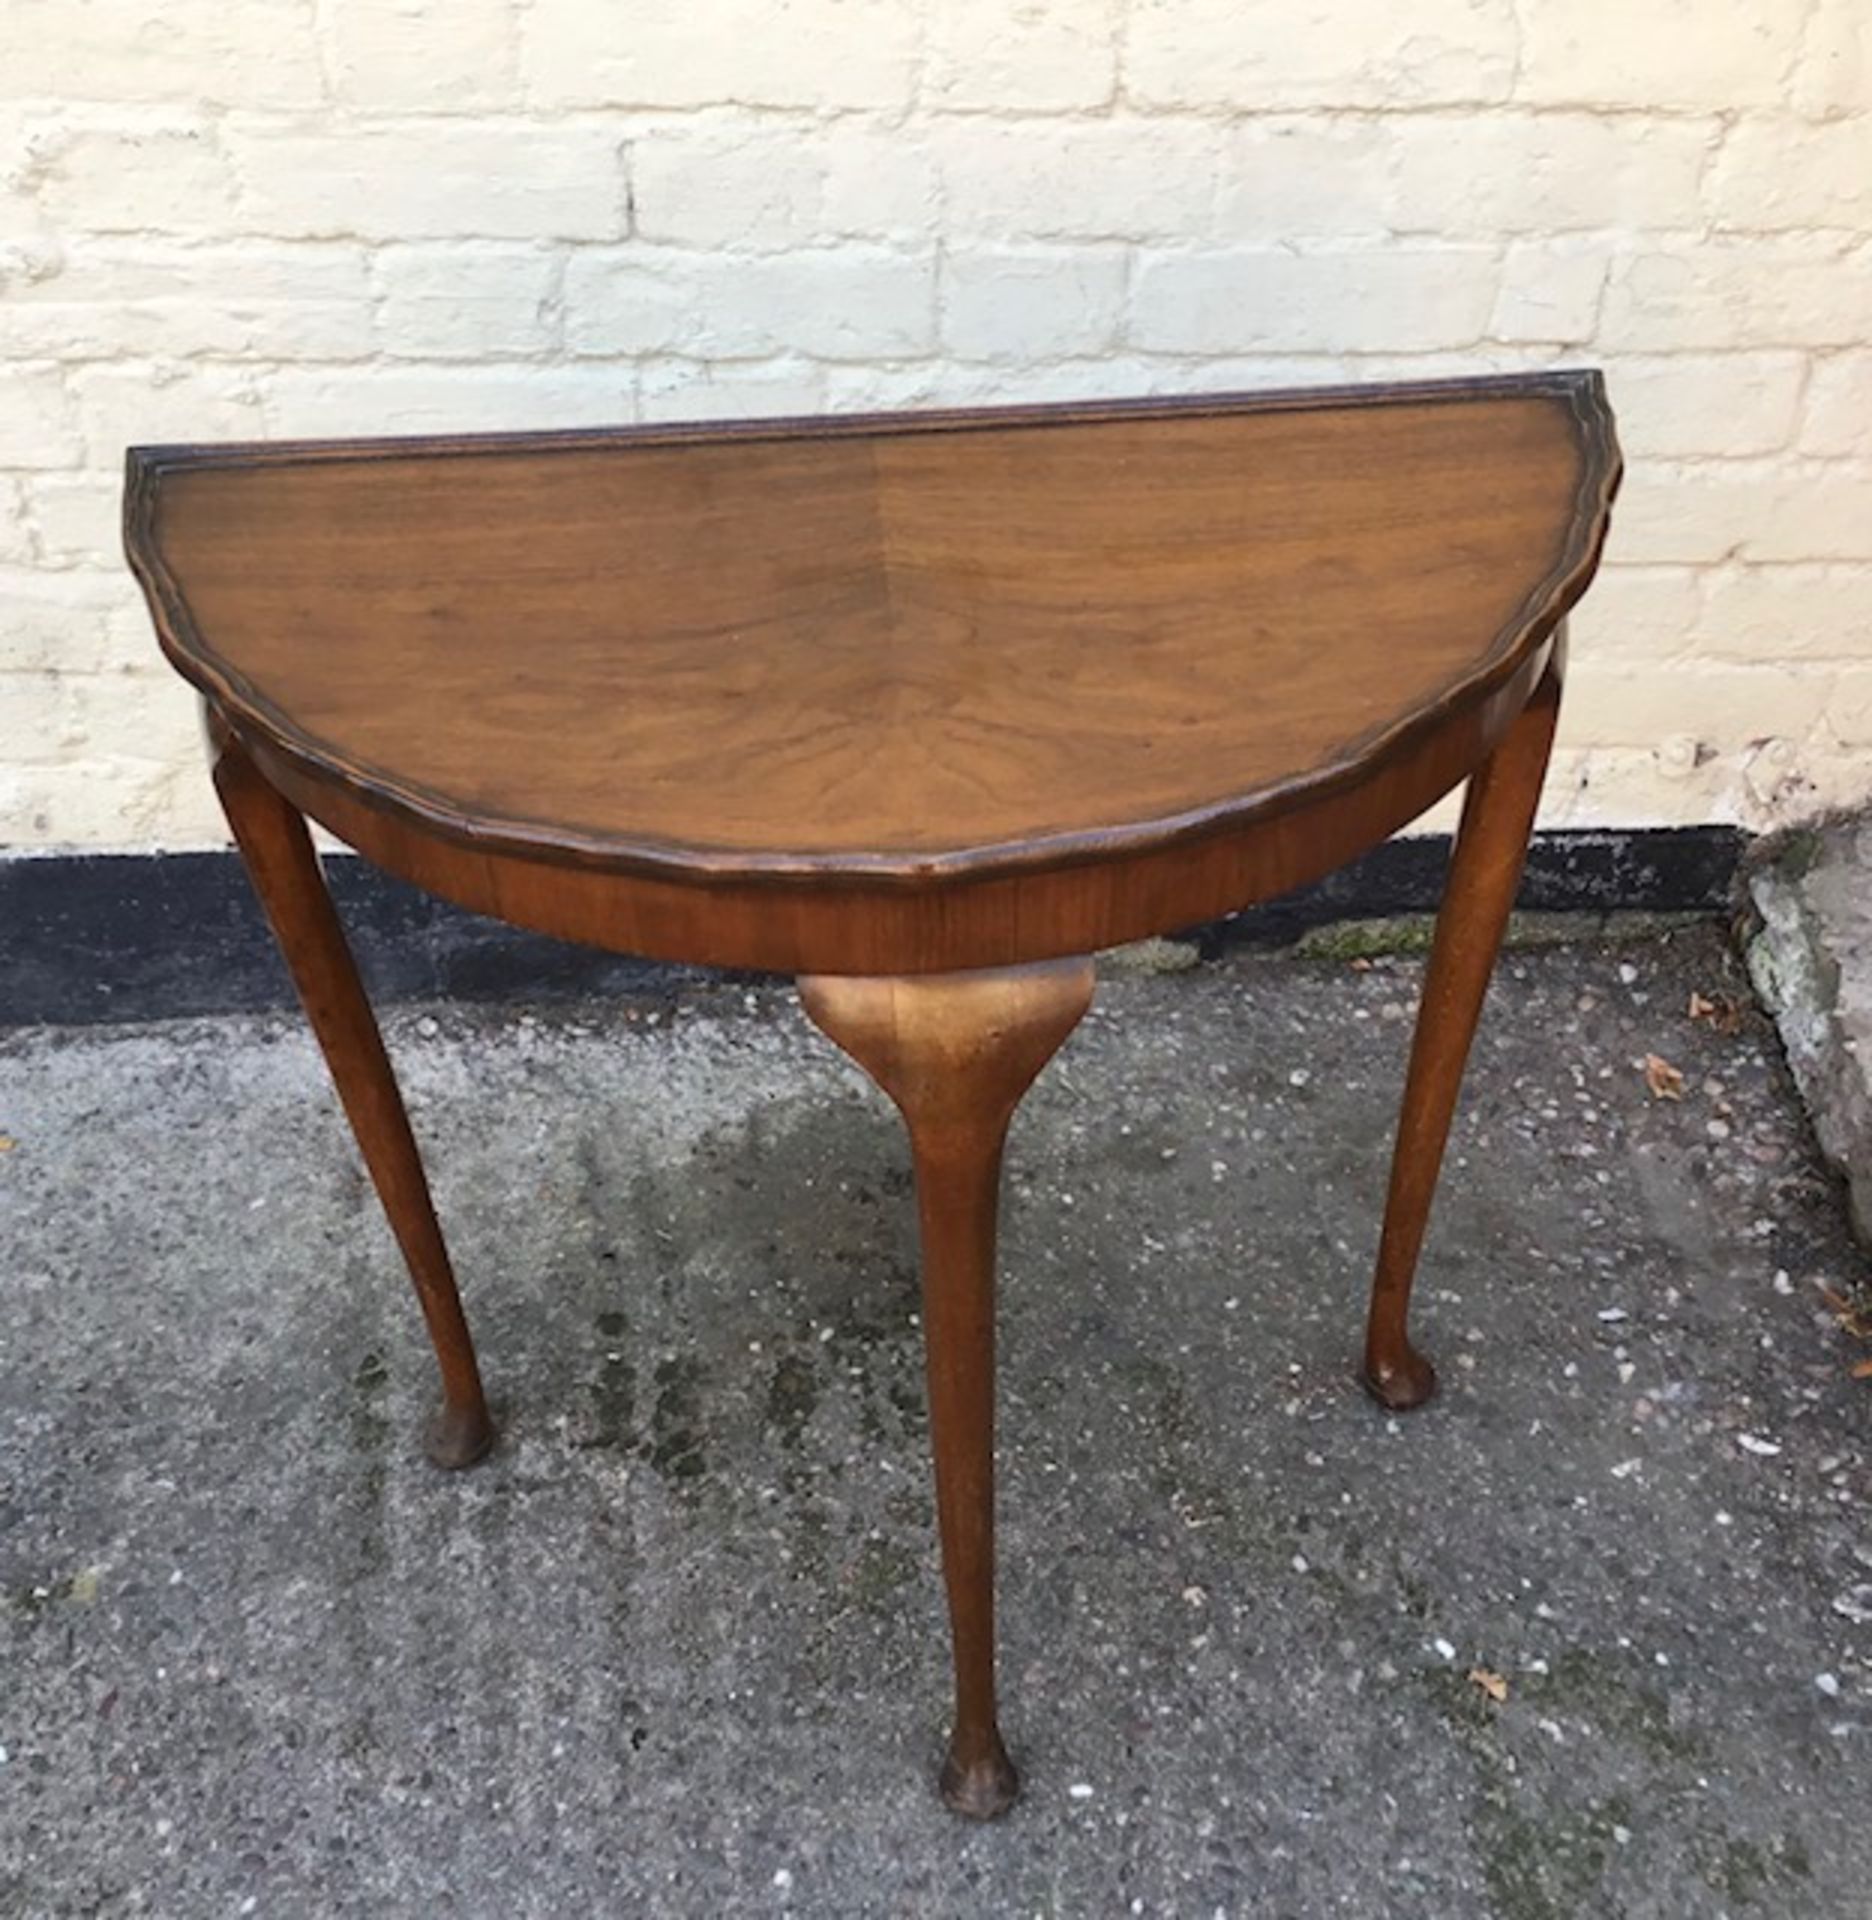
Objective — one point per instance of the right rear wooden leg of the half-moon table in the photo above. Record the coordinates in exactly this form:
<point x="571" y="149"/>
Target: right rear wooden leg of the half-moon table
<point x="1485" y="871"/>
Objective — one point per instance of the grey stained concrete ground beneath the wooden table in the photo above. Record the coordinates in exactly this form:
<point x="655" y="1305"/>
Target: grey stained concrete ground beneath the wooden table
<point x="677" y="1648"/>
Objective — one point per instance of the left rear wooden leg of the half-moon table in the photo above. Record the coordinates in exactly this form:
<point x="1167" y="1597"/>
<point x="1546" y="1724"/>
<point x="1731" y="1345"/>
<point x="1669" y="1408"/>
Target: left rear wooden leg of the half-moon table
<point x="285" y="873"/>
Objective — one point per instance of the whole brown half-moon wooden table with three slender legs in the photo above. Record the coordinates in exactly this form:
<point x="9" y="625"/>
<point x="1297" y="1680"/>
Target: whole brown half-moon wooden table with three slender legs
<point x="921" y="709"/>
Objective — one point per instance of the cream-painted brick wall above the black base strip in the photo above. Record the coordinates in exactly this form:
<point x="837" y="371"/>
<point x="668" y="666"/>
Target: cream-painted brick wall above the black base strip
<point x="377" y="216"/>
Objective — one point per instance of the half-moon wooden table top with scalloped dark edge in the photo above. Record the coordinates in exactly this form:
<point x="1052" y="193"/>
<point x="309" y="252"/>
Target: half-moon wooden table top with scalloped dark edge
<point x="896" y="646"/>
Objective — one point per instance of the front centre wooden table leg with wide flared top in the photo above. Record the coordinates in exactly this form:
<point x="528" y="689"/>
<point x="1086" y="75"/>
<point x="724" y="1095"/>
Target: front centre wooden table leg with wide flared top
<point x="957" y="1051"/>
